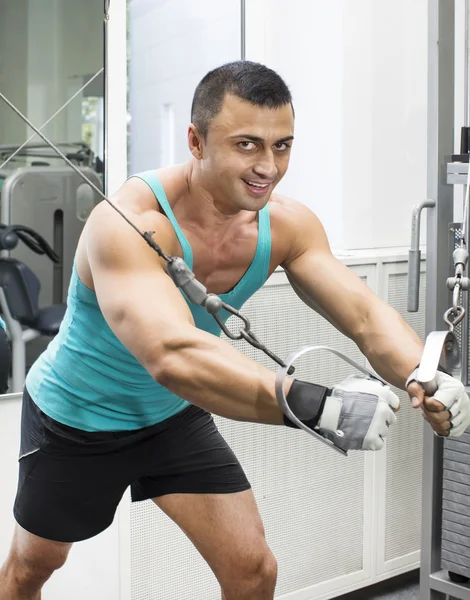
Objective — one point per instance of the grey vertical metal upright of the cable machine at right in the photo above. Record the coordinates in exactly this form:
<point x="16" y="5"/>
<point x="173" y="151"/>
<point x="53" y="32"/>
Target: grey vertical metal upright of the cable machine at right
<point x="440" y="145"/>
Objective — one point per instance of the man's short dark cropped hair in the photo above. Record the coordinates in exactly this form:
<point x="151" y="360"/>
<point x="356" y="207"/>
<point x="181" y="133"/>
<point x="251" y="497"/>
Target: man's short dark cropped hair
<point x="247" y="80"/>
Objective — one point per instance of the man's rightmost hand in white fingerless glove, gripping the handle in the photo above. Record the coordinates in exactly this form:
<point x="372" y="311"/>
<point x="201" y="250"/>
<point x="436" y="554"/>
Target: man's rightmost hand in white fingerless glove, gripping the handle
<point x="448" y="411"/>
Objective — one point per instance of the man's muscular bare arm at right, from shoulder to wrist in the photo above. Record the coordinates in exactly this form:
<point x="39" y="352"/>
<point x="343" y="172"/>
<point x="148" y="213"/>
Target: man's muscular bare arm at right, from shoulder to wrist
<point x="333" y="290"/>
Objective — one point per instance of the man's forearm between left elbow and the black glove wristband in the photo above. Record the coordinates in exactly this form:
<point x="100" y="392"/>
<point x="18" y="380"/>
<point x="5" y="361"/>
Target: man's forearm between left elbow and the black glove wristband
<point x="212" y="374"/>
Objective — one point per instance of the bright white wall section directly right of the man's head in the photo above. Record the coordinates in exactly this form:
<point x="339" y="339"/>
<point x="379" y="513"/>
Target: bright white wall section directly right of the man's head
<point x="303" y="42"/>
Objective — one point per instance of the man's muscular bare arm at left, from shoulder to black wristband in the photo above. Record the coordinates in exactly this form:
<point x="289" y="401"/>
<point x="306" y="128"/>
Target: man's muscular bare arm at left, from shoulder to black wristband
<point x="148" y="314"/>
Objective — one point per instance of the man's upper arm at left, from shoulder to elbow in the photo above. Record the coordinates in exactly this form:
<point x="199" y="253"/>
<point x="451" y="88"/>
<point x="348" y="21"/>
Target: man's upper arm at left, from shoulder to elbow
<point x="138" y="300"/>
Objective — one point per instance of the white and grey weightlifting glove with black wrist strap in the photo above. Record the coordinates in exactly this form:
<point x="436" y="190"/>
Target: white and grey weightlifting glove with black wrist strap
<point x="354" y="415"/>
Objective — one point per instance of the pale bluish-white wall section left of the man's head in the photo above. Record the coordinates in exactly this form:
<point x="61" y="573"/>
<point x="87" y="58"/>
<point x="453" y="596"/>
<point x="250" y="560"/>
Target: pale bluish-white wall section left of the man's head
<point x="173" y="45"/>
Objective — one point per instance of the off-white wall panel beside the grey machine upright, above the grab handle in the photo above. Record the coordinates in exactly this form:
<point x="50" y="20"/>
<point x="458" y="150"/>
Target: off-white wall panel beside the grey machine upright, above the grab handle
<point x="385" y="128"/>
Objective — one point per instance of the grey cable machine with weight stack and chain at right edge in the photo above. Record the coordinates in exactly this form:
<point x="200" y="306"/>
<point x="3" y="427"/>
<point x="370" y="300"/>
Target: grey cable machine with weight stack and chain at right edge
<point x="445" y="548"/>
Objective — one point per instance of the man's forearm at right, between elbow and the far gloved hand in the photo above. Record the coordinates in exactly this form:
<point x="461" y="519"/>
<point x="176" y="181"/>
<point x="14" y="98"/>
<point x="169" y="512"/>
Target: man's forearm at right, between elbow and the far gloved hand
<point x="392" y="347"/>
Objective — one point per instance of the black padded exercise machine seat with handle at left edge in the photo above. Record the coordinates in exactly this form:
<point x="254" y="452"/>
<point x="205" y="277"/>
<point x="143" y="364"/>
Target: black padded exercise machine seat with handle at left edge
<point x="19" y="295"/>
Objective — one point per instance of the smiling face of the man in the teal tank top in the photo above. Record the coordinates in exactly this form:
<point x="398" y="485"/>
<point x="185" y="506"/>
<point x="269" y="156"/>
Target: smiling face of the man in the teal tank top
<point x="246" y="152"/>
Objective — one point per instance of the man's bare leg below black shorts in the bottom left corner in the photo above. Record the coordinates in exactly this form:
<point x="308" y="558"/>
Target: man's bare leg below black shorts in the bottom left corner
<point x="30" y="563"/>
